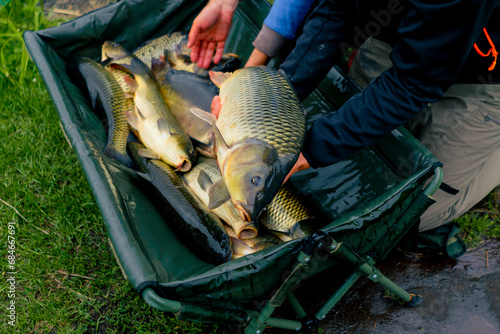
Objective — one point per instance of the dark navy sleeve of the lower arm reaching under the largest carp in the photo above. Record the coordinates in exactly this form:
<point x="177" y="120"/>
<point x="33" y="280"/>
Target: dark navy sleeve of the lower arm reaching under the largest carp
<point x="433" y="42"/>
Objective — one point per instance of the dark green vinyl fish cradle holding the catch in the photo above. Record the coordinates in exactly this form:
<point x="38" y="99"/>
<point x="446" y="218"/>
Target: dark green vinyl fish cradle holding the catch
<point x="368" y="201"/>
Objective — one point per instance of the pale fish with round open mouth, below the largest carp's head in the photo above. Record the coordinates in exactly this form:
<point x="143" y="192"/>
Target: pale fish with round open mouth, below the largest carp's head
<point x="205" y="181"/>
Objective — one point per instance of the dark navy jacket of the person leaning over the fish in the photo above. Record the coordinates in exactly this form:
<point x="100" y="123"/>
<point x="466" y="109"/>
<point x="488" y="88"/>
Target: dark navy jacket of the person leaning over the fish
<point x="432" y="49"/>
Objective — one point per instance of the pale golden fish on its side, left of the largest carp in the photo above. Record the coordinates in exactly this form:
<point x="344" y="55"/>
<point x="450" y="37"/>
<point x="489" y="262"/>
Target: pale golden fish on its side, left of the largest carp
<point x="158" y="129"/>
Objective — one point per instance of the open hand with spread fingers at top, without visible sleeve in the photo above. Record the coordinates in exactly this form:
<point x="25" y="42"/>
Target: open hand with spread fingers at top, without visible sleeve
<point x="209" y="32"/>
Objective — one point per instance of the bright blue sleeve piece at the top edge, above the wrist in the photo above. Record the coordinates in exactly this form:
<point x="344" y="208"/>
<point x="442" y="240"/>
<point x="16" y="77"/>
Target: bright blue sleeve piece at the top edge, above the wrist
<point x="287" y="15"/>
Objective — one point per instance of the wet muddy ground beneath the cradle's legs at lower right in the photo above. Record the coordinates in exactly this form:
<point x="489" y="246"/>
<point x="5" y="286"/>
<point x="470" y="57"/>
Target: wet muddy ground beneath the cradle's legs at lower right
<point x="460" y="296"/>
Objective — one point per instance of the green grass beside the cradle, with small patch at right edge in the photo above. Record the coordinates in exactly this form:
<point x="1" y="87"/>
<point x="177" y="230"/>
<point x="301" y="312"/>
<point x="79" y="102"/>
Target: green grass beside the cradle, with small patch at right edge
<point x="67" y="279"/>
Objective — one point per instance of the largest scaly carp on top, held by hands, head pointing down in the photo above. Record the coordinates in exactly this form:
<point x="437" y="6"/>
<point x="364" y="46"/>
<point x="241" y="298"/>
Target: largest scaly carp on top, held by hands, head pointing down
<point x="258" y="134"/>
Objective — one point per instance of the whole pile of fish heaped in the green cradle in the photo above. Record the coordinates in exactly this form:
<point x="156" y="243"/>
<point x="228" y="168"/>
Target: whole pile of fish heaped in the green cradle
<point x="220" y="178"/>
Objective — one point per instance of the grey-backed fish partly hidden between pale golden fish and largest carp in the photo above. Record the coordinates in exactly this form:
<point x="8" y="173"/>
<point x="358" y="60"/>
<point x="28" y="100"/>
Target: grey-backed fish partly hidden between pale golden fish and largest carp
<point x="182" y="91"/>
